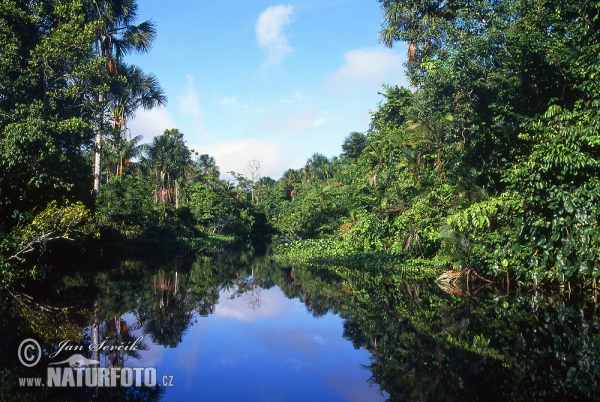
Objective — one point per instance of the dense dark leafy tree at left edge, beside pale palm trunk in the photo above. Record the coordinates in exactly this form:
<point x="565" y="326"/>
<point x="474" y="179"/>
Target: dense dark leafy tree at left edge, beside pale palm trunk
<point x="46" y="87"/>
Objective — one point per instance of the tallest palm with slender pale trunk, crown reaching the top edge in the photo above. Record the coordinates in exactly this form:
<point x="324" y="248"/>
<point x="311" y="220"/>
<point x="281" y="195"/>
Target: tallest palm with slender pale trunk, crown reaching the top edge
<point x="116" y="35"/>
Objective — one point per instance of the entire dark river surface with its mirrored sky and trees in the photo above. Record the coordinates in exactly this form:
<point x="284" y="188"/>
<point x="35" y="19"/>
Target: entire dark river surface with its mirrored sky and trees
<point x="236" y="326"/>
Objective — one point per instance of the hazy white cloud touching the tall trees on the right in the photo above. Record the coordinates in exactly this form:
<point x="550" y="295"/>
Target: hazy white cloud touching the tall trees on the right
<point x="365" y="70"/>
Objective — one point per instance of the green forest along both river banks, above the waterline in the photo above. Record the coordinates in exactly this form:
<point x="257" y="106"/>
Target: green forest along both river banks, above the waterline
<point x="489" y="162"/>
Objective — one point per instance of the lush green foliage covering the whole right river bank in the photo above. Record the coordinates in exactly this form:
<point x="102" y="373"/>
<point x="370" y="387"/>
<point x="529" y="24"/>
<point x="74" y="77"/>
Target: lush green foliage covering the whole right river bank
<point x="491" y="163"/>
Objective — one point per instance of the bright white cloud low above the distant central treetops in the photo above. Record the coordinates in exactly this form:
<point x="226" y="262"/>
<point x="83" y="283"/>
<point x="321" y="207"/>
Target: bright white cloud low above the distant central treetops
<point x="234" y="155"/>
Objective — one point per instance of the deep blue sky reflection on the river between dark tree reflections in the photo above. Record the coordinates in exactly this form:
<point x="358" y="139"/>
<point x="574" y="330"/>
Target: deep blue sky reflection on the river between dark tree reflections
<point x="276" y="352"/>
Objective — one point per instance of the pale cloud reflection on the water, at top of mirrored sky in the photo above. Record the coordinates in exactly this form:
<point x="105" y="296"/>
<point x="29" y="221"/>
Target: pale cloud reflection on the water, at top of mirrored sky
<point x="273" y="304"/>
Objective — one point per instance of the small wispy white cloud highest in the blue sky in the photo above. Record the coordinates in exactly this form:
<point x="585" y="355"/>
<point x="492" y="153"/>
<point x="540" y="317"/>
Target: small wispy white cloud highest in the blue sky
<point x="269" y="33"/>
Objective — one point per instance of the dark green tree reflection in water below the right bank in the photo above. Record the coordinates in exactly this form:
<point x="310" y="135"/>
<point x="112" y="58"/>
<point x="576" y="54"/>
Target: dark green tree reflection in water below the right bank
<point x="426" y="344"/>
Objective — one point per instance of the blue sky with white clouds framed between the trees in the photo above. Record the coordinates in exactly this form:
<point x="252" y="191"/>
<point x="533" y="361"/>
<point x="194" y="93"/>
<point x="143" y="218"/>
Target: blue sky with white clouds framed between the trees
<point x="273" y="82"/>
